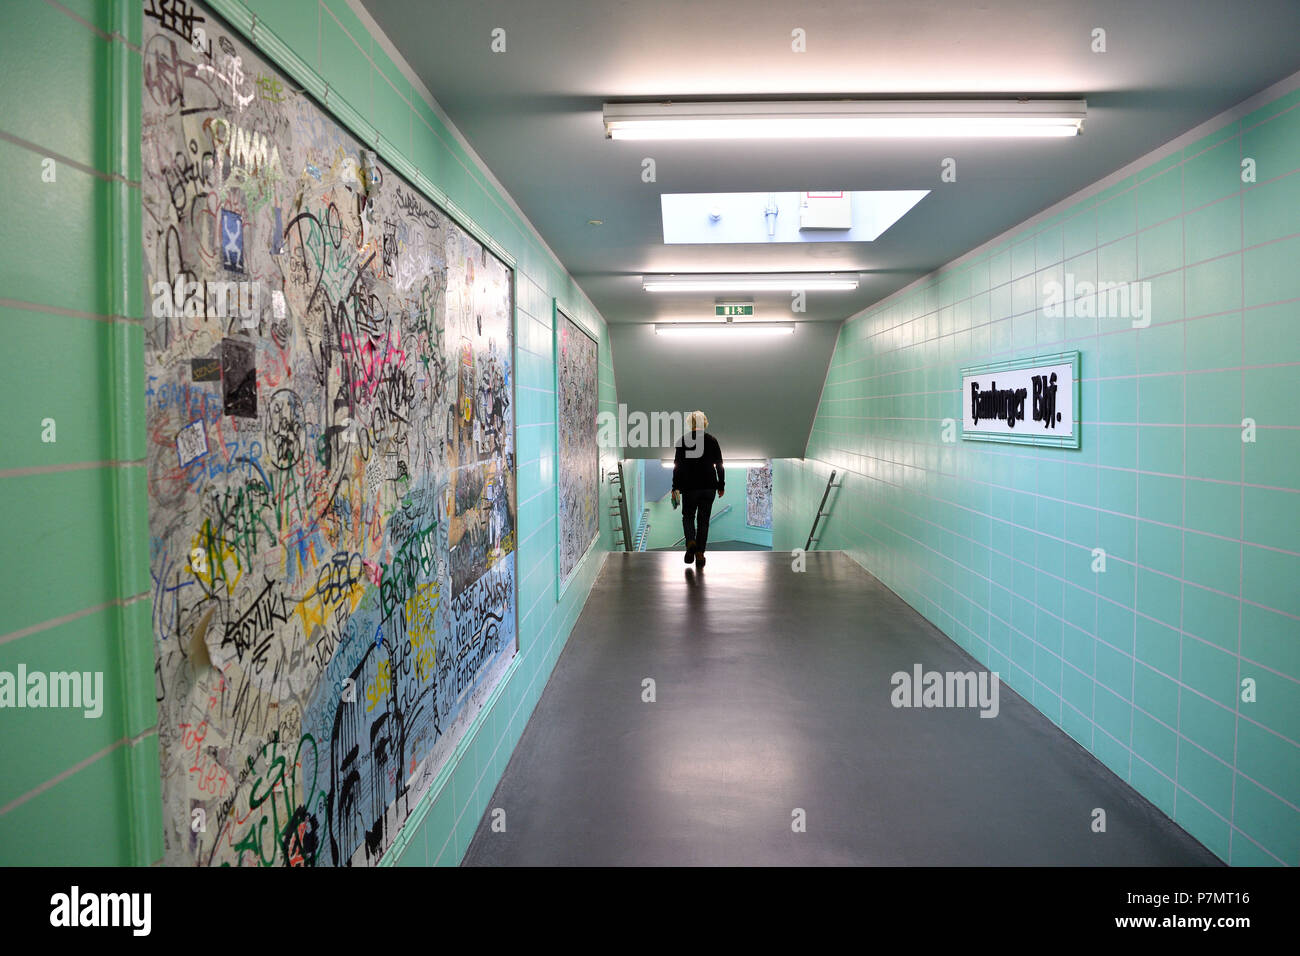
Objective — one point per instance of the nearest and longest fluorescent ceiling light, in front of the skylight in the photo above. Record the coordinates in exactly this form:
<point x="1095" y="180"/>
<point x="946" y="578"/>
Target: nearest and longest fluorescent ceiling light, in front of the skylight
<point x="844" y="119"/>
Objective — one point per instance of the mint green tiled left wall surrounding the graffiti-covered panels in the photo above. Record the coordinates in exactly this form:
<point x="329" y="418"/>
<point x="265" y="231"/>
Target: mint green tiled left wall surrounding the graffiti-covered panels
<point x="79" y="596"/>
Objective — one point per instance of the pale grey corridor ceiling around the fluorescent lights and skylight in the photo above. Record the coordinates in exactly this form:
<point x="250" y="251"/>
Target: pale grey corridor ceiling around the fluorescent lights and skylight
<point x="534" y="114"/>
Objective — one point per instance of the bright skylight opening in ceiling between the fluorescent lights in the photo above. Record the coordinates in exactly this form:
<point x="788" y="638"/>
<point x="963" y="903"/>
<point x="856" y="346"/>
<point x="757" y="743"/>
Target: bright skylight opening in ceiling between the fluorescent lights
<point x="813" y="217"/>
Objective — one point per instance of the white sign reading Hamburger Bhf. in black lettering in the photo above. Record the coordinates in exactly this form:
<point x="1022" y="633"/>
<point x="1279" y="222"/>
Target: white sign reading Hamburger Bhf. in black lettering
<point x="1028" y="401"/>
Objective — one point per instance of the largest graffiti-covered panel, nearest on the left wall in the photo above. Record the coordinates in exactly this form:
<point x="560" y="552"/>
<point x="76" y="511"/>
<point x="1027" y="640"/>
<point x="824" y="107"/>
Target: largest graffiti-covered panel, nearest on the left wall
<point x="331" y="466"/>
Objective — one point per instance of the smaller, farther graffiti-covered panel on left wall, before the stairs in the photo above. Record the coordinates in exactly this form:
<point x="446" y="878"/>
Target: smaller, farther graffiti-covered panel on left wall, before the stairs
<point x="579" y="457"/>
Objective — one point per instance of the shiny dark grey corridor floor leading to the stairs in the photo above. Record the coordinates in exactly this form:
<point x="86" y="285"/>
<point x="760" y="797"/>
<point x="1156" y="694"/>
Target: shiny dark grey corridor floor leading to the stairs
<point x="774" y="694"/>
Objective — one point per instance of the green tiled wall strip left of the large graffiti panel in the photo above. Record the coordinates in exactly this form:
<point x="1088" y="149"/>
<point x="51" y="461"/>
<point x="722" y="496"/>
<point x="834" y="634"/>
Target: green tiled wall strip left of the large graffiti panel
<point x="76" y="789"/>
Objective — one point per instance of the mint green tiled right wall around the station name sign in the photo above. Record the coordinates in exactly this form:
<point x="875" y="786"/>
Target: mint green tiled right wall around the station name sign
<point x="1145" y="663"/>
